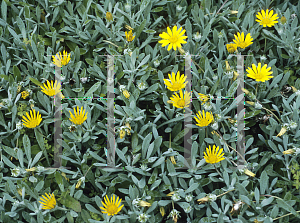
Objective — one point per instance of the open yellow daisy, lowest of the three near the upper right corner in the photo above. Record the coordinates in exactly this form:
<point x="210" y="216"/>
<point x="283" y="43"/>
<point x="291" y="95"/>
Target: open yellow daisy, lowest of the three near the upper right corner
<point x="259" y="73"/>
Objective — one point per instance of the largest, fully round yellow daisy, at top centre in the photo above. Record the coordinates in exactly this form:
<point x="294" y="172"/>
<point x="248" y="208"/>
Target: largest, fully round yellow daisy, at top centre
<point x="174" y="38"/>
